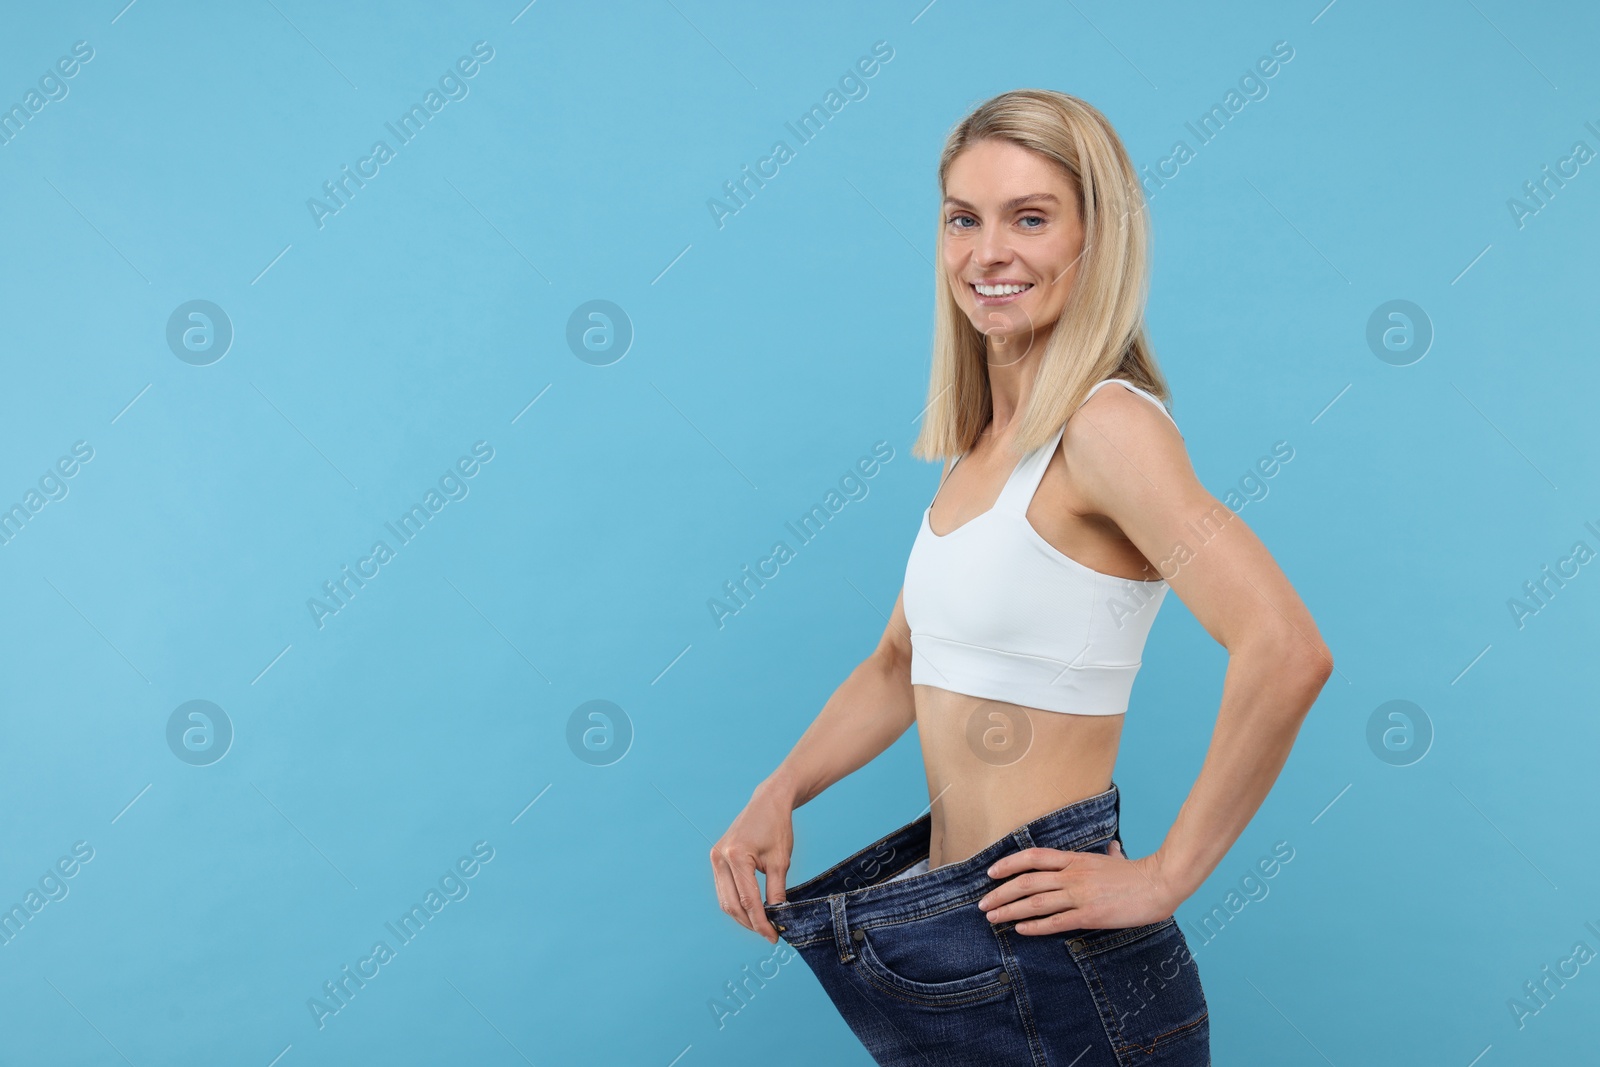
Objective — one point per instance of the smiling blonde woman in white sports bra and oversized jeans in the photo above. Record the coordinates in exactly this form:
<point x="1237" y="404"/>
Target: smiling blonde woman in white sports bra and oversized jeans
<point x="1007" y="925"/>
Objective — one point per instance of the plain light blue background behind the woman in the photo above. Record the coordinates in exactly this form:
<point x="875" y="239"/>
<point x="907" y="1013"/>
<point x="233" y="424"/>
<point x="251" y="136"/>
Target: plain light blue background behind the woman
<point x="769" y="356"/>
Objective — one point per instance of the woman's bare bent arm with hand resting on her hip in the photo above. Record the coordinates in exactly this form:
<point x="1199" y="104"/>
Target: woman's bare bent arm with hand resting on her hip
<point x="1130" y="463"/>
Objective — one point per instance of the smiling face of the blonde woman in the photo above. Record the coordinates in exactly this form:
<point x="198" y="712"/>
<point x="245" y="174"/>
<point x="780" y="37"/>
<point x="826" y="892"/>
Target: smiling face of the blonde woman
<point x="1012" y="241"/>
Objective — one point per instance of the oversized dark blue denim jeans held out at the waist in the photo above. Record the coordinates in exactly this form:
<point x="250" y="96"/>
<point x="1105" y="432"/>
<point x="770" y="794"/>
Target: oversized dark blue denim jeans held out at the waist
<point x="924" y="980"/>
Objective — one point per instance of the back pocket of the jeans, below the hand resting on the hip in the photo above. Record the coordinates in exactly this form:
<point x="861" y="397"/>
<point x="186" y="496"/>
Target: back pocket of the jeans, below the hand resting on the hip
<point x="1145" y="985"/>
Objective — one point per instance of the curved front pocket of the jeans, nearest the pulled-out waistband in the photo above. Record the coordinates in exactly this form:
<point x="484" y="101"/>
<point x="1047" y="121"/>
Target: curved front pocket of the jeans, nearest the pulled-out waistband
<point x="948" y="957"/>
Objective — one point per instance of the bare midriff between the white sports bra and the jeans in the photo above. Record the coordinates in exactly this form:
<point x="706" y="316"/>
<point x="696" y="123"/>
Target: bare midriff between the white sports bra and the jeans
<point x="994" y="767"/>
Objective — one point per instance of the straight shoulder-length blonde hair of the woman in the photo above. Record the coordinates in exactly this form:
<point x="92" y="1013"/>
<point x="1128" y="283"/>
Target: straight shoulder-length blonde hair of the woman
<point x="1102" y="329"/>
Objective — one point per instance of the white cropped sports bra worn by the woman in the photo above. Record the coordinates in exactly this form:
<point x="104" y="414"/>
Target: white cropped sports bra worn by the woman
<point x="996" y="612"/>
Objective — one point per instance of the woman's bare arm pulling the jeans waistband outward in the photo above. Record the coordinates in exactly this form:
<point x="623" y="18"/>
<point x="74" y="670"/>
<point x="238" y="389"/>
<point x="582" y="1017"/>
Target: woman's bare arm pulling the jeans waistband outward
<point x="868" y="713"/>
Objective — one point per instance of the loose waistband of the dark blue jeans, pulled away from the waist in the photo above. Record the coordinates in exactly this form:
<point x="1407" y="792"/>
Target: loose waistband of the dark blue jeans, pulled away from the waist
<point x="862" y="882"/>
